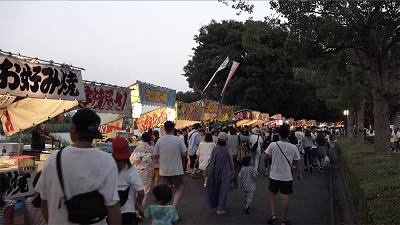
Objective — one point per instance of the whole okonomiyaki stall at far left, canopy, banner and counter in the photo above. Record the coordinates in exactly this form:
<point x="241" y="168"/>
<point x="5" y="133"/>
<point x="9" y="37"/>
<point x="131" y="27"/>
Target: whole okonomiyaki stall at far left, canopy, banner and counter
<point x="32" y="91"/>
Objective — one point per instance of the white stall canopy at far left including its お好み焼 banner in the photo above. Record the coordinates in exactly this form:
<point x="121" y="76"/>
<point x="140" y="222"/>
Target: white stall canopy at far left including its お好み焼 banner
<point x="32" y="92"/>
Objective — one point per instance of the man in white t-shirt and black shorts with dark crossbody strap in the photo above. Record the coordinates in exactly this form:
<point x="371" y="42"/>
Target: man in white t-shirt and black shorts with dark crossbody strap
<point x="280" y="176"/>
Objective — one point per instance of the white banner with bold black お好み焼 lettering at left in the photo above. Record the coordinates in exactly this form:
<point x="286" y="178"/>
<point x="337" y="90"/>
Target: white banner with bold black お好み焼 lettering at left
<point x="22" y="78"/>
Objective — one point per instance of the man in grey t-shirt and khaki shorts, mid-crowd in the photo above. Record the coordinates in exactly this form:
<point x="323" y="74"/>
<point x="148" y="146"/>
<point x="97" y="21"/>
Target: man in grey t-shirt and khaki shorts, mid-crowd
<point x="170" y="150"/>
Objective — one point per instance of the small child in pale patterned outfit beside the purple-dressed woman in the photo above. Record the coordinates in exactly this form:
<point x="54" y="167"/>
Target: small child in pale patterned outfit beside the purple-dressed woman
<point x="248" y="181"/>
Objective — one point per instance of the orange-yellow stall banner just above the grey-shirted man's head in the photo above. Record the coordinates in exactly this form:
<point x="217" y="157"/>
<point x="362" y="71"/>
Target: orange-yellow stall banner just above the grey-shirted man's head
<point x="152" y="119"/>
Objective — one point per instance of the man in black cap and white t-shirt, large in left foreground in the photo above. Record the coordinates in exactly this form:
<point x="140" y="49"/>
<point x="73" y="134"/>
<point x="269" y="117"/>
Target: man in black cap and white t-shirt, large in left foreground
<point x="84" y="169"/>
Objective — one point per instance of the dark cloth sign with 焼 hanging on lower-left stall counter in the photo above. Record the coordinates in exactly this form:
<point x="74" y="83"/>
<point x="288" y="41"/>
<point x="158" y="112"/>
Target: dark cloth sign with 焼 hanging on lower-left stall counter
<point x="21" y="184"/>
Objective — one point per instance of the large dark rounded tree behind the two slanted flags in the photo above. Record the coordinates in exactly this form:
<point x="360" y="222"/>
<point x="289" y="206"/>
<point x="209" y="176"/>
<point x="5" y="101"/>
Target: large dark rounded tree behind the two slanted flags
<point x="264" y="80"/>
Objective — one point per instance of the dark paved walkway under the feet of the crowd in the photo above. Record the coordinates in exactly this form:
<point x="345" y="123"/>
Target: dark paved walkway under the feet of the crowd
<point x="311" y="202"/>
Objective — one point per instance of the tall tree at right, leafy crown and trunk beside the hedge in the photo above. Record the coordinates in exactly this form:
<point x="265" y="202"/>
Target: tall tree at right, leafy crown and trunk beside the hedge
<point x="370" y="28"/>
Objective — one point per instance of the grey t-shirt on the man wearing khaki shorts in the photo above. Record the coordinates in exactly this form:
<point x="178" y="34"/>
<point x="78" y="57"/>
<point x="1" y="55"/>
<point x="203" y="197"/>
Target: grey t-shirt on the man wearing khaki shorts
<point x="170" y="149"/>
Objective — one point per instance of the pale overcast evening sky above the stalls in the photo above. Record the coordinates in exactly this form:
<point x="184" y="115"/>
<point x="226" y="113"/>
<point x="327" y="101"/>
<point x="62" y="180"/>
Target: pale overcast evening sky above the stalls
<point x="116" y="42"/>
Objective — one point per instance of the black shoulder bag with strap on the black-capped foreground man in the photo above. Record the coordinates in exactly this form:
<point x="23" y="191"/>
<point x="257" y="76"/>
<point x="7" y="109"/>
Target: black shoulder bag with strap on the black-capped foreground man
<point x="86" y="208"/>
